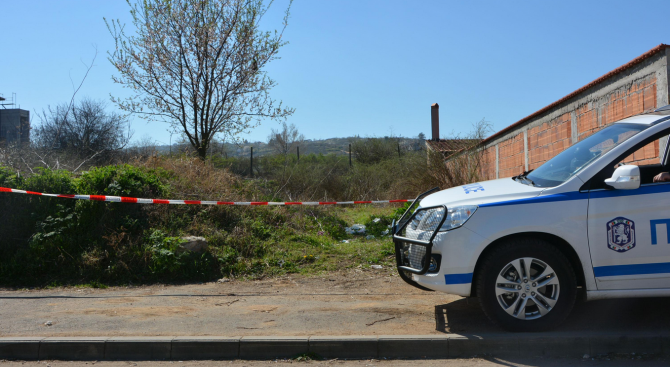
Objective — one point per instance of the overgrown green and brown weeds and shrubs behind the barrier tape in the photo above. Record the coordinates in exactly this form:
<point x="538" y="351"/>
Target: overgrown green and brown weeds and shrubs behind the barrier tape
<point x="54" y="241"/>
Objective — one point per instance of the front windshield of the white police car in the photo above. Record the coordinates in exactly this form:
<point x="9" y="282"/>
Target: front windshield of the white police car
<point x="566" y="164"/>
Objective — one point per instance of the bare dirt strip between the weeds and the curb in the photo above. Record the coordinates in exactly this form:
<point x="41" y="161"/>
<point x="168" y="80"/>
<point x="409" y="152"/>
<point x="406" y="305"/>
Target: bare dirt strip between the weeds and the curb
<point x="353" y="302"/>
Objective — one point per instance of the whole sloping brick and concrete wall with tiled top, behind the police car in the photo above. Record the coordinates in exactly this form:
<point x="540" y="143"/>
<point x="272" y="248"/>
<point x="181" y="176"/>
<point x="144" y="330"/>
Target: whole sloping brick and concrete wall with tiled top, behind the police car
<point x="637" y="89"/>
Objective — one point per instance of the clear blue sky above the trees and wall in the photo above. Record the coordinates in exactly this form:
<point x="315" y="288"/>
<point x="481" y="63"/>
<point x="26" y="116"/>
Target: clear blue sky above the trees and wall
<point x="363" y="67"/>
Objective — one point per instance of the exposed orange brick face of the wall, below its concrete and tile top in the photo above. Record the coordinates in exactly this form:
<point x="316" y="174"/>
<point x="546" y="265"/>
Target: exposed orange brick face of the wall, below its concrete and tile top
<point x="546" y="140"/>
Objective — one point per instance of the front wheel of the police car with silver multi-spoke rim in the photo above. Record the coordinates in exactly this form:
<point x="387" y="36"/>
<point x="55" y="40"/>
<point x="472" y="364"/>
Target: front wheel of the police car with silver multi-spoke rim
<point x="526" y="284"/>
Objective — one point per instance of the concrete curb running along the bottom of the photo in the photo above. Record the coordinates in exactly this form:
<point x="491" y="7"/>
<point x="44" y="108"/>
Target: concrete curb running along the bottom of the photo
<point x="343" y="347"/>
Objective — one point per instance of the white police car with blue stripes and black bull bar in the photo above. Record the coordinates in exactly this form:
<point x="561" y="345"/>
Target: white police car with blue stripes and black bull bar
<point x="584" y="223"/>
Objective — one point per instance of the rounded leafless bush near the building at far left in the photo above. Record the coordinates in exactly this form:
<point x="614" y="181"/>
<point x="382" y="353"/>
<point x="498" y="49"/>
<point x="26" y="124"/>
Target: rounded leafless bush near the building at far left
<point x="82" y="129"/>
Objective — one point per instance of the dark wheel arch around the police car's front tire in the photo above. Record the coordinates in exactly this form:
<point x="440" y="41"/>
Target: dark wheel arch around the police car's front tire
<point x="562" y="245"/>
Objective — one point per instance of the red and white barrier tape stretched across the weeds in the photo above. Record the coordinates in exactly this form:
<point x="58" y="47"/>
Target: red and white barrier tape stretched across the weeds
<point x="121" y="199"/>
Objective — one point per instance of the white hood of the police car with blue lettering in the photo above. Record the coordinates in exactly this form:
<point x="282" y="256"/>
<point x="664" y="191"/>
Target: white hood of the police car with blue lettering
<point x="479" y="193"/>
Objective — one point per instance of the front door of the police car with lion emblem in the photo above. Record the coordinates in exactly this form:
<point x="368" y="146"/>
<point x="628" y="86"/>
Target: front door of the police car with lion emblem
<point x="629" y="230"/>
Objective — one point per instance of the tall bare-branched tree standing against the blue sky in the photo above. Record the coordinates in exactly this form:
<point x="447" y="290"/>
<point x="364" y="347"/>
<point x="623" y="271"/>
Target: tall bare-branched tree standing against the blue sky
<point x="198" y="64"/>
